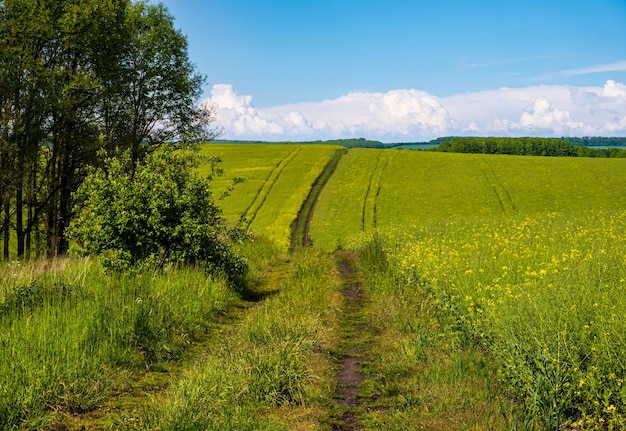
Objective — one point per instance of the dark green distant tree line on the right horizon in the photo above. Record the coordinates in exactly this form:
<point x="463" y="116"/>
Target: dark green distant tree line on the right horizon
<point x="525" y="147"/>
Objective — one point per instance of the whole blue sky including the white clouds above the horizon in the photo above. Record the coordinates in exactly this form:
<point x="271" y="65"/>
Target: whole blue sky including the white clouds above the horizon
<point x="409" y="71"/>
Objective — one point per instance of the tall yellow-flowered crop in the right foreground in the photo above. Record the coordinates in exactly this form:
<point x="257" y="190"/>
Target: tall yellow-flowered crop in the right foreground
<point x="545" y="295"/>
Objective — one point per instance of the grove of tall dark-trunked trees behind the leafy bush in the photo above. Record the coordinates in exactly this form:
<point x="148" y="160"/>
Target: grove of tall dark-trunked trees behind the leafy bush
<point x="78" y="76"/>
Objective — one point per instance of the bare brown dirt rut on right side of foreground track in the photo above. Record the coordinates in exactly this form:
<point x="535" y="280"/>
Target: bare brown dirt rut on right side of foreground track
<point x="354" y="351"/>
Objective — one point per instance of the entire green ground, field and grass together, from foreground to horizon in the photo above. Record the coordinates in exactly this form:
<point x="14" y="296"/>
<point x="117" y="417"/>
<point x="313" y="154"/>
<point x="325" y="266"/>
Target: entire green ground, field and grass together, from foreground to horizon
<point x="493" y="298"/>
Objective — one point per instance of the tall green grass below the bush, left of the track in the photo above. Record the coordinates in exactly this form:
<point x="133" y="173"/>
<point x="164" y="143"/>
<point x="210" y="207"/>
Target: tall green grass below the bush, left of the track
<point x="67" y="331"/>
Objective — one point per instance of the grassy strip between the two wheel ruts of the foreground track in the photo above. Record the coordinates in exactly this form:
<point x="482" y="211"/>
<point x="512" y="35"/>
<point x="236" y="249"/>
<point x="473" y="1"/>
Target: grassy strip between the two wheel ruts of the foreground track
<point x="268" y="370"/>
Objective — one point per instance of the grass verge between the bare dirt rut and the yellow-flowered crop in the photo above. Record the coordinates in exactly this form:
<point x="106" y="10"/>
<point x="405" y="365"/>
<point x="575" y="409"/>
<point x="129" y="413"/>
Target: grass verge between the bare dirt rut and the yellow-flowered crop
<point x="422" y="373"/>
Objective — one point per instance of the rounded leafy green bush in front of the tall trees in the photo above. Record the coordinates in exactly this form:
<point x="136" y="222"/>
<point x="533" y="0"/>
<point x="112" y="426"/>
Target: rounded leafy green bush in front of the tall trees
<point x="162" y="213"/>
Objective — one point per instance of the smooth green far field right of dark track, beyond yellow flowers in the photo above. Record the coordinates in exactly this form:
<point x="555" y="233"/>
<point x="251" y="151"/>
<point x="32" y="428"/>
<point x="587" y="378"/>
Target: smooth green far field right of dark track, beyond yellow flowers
<point x="373" y="188"/>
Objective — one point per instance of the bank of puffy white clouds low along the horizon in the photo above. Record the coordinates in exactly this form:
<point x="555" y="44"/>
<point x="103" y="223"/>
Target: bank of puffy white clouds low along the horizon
<point x="410" y="115"/>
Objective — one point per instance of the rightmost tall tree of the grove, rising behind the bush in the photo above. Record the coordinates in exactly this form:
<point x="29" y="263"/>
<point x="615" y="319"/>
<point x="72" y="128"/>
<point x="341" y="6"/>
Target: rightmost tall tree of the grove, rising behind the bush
<point x="152" y="96"/>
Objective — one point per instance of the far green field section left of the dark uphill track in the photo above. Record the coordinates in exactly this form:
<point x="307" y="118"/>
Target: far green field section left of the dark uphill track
<point x="278" y="180"/>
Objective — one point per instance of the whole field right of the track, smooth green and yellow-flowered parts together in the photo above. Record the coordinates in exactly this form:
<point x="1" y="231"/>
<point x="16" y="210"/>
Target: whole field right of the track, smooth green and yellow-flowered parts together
<point x="526" y="252"/>
